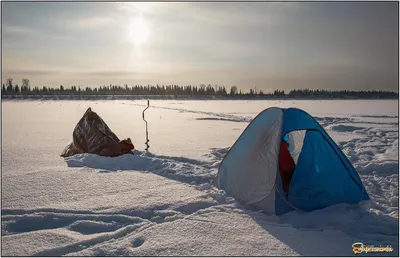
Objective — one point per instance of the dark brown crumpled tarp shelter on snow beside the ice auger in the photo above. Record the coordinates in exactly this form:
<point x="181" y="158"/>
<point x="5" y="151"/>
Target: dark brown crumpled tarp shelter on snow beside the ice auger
<point x="92" y="135"/>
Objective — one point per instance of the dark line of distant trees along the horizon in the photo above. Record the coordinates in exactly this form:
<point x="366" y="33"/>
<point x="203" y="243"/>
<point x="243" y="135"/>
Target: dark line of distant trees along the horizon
<point x="25" y="89"/>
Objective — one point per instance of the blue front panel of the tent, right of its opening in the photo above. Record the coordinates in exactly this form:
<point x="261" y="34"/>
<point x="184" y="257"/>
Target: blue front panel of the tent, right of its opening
<point x="320" y="178"/>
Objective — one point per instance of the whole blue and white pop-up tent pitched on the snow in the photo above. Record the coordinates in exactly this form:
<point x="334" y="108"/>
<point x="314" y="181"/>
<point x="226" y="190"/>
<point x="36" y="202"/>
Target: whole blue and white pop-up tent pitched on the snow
<point x="323" y="175"/>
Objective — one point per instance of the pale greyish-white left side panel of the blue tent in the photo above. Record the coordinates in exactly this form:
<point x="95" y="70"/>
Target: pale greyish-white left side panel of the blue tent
<point x="248" y="171"/>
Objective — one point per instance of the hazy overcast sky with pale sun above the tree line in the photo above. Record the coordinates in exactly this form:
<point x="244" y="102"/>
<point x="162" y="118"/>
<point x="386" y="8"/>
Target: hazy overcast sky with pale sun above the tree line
<point x="320" y="45"/>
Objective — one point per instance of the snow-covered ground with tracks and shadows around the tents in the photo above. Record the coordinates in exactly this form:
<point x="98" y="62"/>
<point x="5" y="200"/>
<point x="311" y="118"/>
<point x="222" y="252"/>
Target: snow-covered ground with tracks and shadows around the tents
<point x="162" y="202"/>
